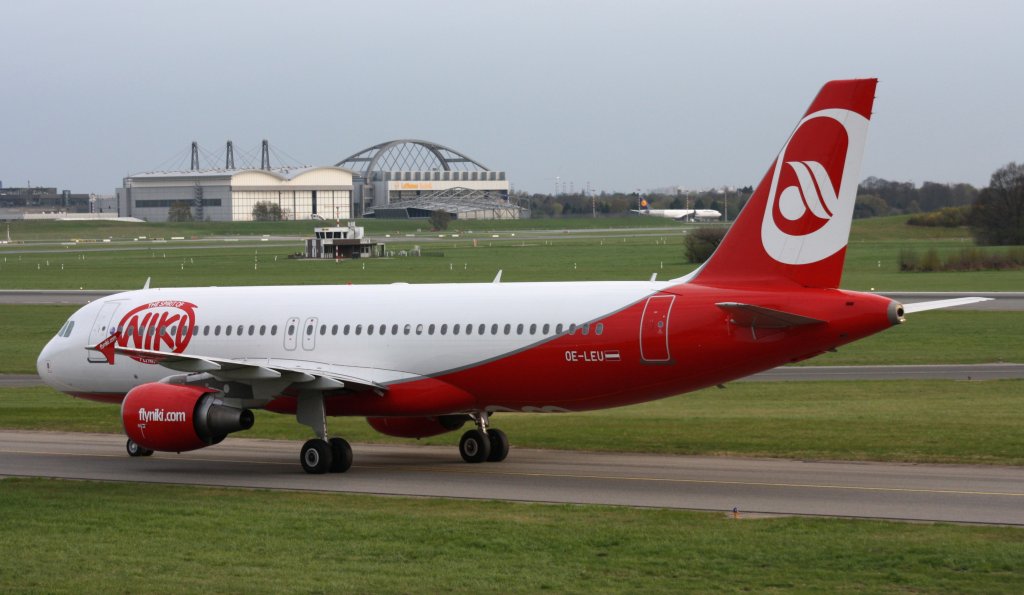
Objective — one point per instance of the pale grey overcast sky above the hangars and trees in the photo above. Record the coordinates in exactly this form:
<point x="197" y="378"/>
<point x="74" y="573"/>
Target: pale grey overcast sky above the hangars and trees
<point x="624" y="95"/>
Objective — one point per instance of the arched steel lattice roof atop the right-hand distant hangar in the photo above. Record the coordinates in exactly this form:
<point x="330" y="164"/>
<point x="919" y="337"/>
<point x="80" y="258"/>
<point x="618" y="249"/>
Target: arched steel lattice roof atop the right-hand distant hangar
<point x="410" y="155"/>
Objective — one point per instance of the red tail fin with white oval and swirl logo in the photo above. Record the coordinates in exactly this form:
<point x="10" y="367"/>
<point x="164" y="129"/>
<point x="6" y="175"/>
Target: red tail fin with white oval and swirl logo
<point x="796" y="227"/>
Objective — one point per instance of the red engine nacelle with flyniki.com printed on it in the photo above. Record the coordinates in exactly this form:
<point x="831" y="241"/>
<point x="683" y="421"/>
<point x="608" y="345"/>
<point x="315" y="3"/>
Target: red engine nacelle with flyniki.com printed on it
<point x="177" y="418"/>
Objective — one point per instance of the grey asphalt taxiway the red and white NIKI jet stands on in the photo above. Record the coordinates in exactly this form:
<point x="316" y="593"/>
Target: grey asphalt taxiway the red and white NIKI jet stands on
<point x="754" y="487"/>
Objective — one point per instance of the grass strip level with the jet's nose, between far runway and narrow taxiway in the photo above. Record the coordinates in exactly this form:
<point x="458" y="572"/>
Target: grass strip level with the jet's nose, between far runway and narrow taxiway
<point x="938" y="337"/>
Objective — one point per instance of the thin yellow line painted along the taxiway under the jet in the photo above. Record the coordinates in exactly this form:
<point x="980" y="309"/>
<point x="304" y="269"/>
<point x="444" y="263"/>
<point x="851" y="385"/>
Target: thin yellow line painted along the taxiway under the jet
<point x="478" y="472"/>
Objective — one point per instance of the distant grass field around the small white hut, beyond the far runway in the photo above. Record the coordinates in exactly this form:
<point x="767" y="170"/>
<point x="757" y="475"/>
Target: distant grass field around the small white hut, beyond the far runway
<point x="560" y="256"/>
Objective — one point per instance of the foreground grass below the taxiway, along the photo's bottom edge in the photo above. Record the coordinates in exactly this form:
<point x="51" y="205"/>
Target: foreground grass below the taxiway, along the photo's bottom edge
<point x="83" y="537"/>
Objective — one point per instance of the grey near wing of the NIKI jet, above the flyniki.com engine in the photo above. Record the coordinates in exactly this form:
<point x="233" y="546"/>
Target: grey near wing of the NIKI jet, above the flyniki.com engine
<point x="308" y="377"/>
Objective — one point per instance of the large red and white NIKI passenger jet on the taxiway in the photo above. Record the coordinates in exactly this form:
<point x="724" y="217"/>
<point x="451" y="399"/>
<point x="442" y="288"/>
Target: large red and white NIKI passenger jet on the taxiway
<point x="190" y="365"/>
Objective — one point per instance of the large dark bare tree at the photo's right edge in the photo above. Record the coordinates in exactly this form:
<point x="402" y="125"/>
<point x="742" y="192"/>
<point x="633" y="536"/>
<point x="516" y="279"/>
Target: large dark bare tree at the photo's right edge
<point x="998" y="215"/>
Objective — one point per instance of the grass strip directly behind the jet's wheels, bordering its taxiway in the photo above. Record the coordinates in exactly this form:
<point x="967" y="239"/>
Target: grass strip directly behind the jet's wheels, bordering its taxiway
<point x="916" y="421"/>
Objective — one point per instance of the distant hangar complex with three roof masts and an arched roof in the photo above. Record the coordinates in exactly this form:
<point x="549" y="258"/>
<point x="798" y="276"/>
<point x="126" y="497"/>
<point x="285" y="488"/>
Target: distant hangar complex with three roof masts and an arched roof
<point x="399" y="180"/>
